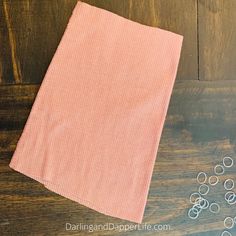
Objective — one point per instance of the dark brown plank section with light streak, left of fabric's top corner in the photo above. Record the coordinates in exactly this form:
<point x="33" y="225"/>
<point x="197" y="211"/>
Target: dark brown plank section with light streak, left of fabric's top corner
<point x="30" y="31"/>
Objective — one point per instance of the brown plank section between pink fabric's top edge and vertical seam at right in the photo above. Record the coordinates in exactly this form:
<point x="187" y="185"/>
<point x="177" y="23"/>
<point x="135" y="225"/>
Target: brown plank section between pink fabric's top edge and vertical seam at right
<point x="179" y="16"/>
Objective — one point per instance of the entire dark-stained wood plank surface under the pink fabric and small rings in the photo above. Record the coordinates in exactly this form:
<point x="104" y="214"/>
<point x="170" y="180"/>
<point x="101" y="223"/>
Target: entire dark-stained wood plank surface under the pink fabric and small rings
<point x="199" y="130"/>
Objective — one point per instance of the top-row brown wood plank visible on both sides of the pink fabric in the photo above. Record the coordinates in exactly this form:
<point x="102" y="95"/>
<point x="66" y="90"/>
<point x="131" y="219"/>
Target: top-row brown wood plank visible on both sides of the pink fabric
<point x="31" y="30"/>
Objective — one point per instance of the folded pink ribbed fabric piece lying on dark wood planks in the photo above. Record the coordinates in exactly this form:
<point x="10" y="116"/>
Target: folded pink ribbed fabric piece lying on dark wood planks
<point x="94" y="129"/>
